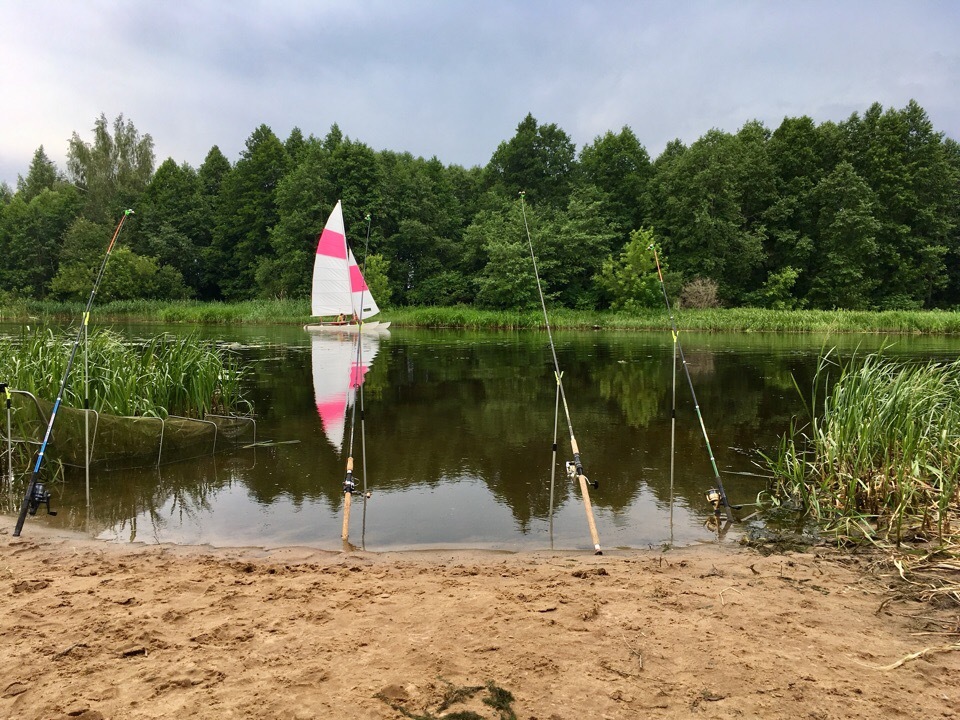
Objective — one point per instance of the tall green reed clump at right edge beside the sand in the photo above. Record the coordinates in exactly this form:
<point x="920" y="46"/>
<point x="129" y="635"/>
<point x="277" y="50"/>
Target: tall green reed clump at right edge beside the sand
<point x="880" y="453"/>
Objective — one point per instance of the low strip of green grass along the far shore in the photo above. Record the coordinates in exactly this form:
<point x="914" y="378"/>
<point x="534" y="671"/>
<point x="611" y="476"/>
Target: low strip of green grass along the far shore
<point x="296" y="312"/>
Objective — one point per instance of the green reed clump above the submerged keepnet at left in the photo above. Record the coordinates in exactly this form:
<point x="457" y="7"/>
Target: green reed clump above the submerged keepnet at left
<point x="165" y="375"/>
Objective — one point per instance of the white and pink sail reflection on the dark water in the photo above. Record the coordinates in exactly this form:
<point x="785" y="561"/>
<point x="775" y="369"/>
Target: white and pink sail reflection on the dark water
<point x="337" y="375"/>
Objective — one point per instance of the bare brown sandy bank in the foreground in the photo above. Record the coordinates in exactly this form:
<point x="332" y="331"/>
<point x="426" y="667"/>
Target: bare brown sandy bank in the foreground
<point x="96" y="630"/>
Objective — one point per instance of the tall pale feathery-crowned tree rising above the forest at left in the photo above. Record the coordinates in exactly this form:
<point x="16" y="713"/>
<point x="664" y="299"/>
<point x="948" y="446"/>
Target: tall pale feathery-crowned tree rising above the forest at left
<point x="113" y="170"/>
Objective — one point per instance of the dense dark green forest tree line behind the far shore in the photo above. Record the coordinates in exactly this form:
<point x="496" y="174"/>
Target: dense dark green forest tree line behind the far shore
<point x="860" y="214"/>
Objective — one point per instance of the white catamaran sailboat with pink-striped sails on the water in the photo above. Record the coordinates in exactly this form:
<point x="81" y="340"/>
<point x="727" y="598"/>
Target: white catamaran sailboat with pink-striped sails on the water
<point x="339" y="290"/>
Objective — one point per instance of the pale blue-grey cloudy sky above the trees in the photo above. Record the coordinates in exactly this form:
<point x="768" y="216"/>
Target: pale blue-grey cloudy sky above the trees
<point x="452" y="78"/>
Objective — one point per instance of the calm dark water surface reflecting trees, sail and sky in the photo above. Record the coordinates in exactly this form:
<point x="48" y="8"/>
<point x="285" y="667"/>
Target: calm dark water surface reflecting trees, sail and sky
<point x="458" y="431"/>
